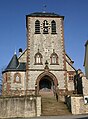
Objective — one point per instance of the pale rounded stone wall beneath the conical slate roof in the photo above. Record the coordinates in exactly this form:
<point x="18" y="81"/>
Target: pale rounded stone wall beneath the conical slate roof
<point x="12" y="87"/>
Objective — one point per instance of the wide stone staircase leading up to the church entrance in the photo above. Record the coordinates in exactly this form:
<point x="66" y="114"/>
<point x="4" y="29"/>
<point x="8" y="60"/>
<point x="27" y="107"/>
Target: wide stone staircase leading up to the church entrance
<point x="50" y="106"/>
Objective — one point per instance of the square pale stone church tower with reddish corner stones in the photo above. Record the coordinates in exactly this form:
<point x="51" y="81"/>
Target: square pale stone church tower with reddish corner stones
<point x="46" y="63"/>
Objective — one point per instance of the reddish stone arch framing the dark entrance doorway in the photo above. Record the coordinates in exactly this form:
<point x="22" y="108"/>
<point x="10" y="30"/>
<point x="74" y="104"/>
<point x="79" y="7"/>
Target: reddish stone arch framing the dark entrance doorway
<point x="48" y="74"/>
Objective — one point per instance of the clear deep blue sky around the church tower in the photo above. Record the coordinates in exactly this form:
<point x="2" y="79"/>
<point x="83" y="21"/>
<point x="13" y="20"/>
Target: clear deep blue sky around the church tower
<point x="13" y="26"/>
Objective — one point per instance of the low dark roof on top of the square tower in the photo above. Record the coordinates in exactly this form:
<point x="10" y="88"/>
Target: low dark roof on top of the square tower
<point x="42" y="14"/>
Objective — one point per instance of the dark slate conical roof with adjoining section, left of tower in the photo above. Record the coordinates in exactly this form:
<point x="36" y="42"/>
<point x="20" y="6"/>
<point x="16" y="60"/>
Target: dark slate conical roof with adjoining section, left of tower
<point x="14" y="65"/>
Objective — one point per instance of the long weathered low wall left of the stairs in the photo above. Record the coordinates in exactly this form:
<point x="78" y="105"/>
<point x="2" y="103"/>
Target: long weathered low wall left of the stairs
<point x="22" y="106"/>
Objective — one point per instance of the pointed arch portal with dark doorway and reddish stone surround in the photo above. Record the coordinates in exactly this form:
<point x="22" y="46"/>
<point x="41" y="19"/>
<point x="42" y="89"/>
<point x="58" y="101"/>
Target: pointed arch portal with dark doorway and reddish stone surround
<point x="46" y="81"/>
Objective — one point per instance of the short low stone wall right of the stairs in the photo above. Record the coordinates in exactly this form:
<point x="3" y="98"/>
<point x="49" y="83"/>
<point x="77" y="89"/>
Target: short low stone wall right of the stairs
<point x="78" y="106"/>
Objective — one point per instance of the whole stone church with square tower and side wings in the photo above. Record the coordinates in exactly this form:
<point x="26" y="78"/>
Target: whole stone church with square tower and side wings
<point x="44" y="65"/>
